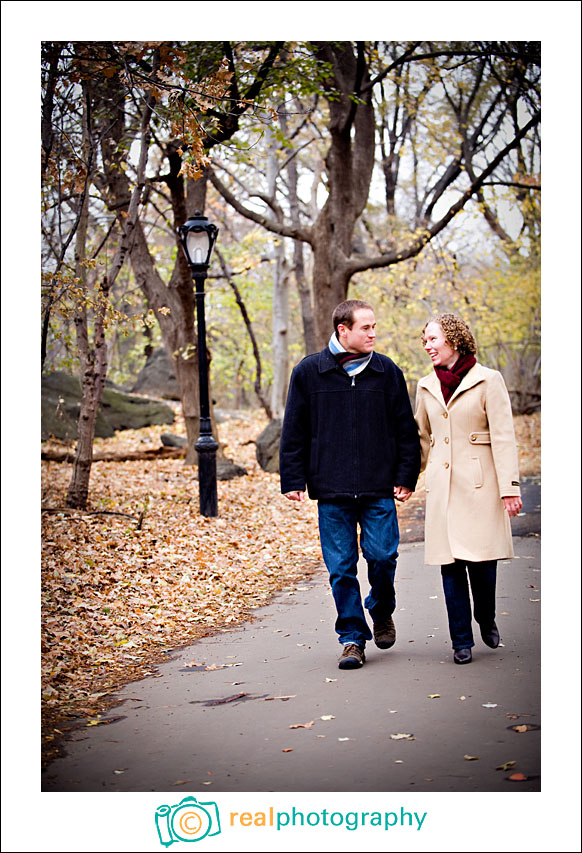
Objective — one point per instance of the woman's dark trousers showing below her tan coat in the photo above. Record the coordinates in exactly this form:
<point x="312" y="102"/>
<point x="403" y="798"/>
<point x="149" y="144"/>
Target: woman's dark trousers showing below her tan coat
<point x="483" y="578"/>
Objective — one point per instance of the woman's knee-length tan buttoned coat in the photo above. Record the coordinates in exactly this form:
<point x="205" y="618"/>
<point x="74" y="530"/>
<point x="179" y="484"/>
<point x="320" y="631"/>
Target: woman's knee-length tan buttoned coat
<point x="469" y="453"/>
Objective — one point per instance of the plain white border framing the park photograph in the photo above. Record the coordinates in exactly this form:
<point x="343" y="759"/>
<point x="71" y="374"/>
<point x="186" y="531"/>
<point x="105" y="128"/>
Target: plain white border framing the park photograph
<point x="531" y="821"/>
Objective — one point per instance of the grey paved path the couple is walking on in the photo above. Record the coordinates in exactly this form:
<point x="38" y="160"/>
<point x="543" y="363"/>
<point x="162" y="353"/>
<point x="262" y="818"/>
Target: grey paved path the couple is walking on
<point x="215" y="719"/>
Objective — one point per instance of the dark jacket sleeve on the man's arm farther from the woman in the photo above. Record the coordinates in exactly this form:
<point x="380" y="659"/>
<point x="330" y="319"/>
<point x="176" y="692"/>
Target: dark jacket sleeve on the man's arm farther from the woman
<point x="294" y="445"/>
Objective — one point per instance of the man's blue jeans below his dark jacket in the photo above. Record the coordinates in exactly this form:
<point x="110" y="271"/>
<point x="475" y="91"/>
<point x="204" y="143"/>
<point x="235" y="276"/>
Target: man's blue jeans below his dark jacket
<point x="338" y="523"/>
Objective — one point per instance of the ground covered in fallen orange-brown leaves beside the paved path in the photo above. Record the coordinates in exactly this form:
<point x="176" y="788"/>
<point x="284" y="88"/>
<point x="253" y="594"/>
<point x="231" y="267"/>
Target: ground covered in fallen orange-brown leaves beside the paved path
<point x="117" y="596"/>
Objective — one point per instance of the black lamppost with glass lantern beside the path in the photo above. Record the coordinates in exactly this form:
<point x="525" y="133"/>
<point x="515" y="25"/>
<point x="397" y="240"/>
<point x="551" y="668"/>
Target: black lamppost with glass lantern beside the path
<point x="198" y="236"/>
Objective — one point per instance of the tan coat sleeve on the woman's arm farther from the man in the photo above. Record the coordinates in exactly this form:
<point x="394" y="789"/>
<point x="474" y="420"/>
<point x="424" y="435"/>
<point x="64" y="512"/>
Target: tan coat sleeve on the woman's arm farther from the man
<point x="503" y="446"/>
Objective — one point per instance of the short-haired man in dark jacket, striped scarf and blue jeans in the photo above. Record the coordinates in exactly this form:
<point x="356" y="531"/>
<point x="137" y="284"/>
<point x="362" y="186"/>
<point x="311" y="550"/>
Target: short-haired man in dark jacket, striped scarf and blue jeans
<point x="350" y="437"/>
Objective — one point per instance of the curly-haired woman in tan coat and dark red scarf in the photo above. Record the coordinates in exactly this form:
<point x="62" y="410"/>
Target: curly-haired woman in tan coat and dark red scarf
<point x="468" y="448"/>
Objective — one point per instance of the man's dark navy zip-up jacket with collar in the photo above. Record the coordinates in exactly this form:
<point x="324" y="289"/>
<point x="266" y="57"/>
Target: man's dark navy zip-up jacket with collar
<point x="346" y="437"/>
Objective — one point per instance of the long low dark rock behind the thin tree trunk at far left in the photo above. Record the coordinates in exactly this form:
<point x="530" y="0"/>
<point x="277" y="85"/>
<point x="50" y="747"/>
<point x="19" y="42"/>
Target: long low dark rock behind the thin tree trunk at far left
<point x="61" y="402"/>
